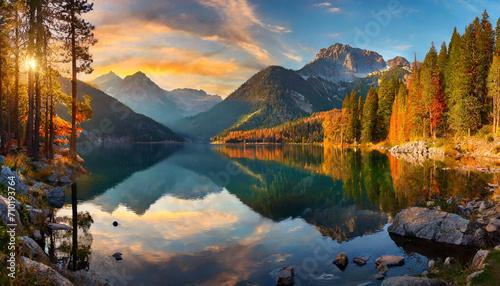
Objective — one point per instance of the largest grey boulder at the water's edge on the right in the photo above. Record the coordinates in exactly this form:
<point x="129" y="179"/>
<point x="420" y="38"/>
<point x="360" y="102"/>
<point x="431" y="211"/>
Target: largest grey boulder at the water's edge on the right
<point x="433" y="225"/>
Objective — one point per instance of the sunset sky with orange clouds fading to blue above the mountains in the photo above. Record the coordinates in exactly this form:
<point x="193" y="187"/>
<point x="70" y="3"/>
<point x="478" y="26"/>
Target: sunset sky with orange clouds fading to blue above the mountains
<point x="216" y="45"/>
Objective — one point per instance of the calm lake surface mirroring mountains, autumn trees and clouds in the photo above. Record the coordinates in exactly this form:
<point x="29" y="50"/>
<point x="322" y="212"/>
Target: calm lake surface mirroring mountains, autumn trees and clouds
<point x="225" y="215"/>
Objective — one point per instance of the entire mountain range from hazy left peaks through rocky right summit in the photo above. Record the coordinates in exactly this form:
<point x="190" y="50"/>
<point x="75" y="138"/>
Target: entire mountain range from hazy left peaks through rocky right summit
<point x="271" y="97"/>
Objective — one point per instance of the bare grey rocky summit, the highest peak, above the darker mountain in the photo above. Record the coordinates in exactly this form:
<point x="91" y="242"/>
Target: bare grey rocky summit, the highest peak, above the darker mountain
<point x="343" y="63"/>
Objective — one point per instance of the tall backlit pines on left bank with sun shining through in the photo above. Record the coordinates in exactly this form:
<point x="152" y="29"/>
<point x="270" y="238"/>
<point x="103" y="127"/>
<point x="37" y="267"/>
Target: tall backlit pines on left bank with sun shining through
<point x="38" y="40"/>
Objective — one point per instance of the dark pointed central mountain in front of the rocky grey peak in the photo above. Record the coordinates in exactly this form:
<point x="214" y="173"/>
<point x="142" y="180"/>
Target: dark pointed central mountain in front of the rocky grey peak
<point x="272" y="96"/>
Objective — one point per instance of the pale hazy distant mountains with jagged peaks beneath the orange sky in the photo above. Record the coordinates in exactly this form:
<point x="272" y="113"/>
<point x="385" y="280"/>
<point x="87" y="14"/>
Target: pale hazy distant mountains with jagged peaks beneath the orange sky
<point x="144" y="96"/>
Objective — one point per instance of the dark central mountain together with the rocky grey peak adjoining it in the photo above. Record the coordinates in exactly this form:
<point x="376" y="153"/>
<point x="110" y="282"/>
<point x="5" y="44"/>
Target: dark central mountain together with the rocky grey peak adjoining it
<point x="277" y="95"/>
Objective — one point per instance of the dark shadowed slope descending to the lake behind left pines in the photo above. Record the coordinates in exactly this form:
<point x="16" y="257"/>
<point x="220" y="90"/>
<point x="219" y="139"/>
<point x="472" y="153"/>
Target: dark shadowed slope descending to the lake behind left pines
<point x="111" y="118"/>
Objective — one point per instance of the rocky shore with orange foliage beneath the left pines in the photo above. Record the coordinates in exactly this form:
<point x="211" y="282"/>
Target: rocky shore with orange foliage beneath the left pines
<point x="37" y="190"/>
